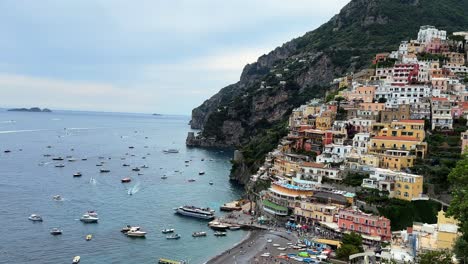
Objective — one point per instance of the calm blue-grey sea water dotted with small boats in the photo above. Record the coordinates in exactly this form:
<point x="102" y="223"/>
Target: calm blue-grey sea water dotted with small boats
<point x="28" y="181"/>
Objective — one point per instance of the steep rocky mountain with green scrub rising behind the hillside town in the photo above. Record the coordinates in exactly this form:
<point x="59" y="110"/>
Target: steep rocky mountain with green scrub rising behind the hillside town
<point x="250" y="114"/>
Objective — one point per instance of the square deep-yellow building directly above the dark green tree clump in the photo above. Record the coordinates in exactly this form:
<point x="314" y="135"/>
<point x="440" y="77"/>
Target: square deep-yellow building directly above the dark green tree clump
<point x="408" y="186"/>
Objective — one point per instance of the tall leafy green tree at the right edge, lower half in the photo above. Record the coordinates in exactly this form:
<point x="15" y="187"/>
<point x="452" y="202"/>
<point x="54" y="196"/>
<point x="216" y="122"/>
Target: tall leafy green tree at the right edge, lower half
<point x="458" y="208"/>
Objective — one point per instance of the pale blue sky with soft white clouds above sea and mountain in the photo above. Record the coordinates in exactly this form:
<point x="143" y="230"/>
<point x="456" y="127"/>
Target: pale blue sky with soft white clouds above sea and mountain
<point x="140" y="56"/>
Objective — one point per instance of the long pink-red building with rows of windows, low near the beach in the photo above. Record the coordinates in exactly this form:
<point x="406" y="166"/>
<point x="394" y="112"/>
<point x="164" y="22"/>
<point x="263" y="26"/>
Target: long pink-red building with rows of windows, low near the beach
<point x="368" y="225"/>
